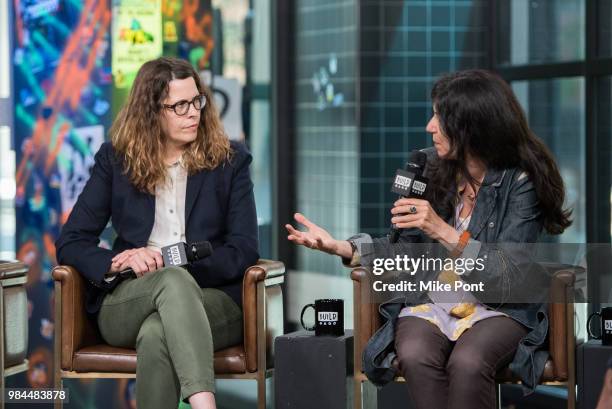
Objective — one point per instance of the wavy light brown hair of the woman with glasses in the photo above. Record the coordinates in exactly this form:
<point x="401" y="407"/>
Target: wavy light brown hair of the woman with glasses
<point x="137" y="134"/>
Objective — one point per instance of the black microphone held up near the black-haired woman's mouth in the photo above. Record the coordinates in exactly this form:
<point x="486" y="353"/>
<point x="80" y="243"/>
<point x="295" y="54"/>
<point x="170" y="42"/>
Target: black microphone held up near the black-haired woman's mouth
<point x="408" y="183"/>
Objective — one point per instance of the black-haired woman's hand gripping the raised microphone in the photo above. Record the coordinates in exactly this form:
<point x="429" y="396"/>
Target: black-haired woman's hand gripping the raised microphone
<point x="409" y="213"/>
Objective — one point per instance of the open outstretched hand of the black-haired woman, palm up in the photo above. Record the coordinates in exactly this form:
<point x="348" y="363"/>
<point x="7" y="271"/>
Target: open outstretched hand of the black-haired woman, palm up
<point x="317" y="238"/>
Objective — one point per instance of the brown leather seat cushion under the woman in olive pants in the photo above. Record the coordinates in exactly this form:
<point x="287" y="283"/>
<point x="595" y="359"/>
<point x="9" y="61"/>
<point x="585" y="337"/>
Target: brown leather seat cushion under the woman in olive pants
<point x="105" y="358"/>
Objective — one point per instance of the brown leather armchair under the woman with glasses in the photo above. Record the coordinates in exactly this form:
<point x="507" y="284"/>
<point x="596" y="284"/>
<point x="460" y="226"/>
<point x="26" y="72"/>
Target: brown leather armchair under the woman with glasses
<point x="80" y="351"/>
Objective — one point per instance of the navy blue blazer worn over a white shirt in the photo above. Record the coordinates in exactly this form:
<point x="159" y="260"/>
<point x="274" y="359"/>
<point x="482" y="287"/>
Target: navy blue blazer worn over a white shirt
<point x="219" y="207"/>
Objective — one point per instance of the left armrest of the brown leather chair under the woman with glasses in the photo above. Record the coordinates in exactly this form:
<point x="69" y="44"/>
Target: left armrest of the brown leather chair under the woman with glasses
<point x="73" y="328"/>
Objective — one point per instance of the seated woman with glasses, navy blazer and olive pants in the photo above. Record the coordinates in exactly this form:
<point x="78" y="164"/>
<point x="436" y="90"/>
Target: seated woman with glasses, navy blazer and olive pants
<point x="169" y="175"/>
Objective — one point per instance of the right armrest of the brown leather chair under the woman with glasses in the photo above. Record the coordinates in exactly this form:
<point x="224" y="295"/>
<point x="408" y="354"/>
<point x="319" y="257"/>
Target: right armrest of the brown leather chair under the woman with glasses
<point x="262" y="305"/>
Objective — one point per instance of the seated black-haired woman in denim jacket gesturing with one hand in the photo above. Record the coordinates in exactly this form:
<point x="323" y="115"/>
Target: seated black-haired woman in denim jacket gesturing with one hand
<point x="491" y="181"/>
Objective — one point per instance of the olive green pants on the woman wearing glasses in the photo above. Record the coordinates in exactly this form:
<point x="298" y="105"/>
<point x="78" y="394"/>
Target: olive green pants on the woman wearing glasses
<point x="175" y="326"/>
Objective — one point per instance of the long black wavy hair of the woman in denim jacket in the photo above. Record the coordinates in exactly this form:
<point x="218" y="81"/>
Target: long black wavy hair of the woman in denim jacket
<point x="481" y="117"/>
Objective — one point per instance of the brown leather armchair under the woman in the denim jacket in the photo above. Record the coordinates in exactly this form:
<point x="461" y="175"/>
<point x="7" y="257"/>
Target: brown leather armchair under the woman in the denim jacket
<point x="560" y="368"/>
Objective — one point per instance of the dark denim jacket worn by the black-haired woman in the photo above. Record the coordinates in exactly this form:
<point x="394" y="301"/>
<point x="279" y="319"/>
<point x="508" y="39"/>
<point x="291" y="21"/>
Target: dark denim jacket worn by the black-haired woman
<point x="506" y="212"/>
